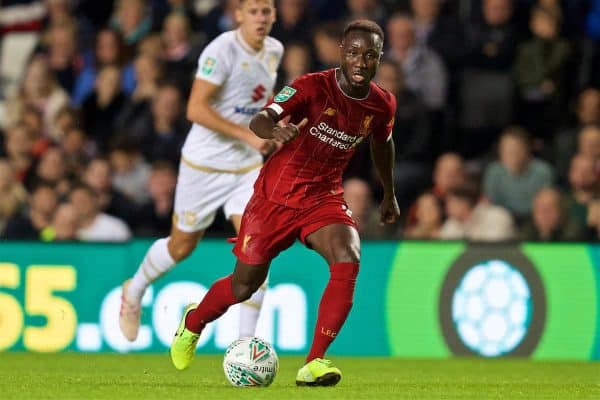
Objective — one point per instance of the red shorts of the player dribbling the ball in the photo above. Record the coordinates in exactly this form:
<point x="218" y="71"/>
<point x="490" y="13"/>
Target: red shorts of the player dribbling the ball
<point x="268" y="228"/>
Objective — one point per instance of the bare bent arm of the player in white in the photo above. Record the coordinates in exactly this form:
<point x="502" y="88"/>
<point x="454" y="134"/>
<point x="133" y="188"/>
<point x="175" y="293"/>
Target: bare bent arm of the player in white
<point x="200" y="111"/>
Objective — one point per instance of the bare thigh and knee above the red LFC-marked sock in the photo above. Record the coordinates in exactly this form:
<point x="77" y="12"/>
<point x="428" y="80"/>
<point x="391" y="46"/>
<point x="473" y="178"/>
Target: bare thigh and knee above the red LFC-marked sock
<point x="337" y="242"/>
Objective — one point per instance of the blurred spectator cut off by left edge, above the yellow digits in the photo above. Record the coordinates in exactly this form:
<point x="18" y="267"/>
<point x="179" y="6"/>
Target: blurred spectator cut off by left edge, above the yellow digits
<point x="14" y="196"/>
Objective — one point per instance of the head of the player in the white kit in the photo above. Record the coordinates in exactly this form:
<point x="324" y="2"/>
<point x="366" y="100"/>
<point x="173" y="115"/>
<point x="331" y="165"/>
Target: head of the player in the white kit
<point x="255" y="17"/>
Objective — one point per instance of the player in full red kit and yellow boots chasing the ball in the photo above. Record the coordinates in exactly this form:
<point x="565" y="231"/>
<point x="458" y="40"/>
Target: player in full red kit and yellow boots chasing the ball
<point x="320" y="119"/>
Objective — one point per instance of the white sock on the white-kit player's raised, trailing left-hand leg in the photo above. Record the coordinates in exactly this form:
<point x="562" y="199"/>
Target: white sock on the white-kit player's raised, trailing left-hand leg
<point x="156" y="263"/>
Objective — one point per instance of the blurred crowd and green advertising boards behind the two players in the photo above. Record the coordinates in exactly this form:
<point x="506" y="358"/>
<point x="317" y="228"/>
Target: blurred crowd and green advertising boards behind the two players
<point x="464" y="74"/>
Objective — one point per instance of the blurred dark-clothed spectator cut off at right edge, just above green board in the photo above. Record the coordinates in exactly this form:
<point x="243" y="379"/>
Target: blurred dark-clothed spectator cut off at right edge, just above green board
<point x="583" y="180"/>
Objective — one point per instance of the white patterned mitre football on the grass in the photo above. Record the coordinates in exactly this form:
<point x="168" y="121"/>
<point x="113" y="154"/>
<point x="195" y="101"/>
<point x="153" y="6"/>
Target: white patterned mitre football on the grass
<point x="249" y="362"/>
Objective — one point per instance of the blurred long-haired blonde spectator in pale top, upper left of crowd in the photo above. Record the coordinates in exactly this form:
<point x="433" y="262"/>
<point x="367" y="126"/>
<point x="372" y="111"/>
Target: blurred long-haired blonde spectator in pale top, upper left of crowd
<point x="39" y="90"/>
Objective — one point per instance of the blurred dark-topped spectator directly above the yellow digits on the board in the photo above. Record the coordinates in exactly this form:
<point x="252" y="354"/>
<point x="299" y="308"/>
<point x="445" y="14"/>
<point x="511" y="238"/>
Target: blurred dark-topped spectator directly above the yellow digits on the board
<point x="30" y="223"/>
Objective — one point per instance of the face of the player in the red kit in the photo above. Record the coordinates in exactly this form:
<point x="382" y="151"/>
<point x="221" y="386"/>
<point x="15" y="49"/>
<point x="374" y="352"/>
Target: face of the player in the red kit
<point x="360" y="54"/>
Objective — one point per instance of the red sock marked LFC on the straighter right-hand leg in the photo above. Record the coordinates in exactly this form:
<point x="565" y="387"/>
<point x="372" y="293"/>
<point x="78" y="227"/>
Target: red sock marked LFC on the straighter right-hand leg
<point x="335" y="305"/>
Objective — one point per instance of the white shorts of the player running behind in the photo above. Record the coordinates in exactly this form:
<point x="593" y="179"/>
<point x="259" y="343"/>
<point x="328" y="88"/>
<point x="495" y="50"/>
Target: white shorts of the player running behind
<point x="199" y="194"/>
